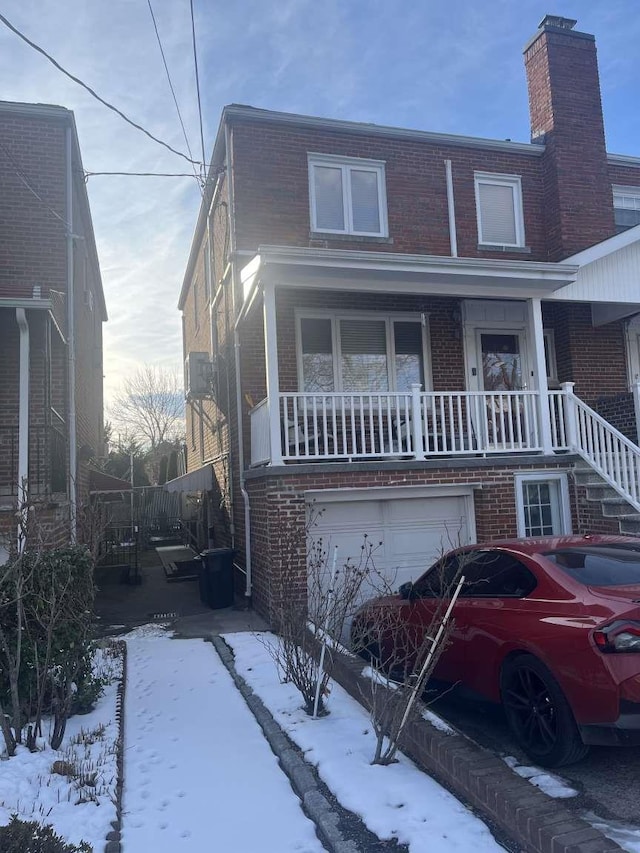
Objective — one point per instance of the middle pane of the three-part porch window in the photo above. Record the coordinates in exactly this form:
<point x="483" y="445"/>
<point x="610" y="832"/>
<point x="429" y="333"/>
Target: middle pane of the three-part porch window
<point x="364" y="355"/>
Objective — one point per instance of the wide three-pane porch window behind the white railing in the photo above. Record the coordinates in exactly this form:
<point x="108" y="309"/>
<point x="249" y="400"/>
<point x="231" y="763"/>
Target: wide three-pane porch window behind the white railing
<point x="360" y="353"/>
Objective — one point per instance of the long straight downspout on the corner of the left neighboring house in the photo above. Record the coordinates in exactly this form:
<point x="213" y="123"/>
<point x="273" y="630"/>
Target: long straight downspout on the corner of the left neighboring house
<point x="71" y="343"/>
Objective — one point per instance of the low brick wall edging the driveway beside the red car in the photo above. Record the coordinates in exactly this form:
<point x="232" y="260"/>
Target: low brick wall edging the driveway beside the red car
<point x="535" y="821"/>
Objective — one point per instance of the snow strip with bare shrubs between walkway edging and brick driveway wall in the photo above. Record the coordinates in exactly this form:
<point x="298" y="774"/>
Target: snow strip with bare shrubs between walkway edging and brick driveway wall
<point x="398" y="801"/>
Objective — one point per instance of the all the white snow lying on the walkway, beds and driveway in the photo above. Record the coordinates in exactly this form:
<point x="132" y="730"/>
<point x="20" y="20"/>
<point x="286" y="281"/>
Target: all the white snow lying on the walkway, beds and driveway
<point x="199" y="774"/>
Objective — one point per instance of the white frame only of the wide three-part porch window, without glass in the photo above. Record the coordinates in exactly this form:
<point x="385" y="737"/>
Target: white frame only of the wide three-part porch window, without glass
<point x="336" y="316"/>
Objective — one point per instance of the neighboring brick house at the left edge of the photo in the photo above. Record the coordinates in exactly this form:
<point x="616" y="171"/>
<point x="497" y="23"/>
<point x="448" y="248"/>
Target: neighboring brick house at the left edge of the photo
<point x="51" y="313"/>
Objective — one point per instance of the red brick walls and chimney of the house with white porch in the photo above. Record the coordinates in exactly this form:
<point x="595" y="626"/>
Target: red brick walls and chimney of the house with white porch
<point x="262" y="199"/>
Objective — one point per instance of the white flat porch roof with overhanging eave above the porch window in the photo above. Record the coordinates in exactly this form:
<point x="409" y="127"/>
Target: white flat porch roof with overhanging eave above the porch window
<point x="384" y="272"/>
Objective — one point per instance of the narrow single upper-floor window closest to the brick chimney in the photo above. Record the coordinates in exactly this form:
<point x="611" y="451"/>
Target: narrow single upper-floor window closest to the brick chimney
<point x="499" y="209"/>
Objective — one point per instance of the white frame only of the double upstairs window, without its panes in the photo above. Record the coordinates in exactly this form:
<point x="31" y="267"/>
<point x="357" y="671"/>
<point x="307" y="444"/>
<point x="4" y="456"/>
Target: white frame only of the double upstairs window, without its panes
<point x="346" y="164"/>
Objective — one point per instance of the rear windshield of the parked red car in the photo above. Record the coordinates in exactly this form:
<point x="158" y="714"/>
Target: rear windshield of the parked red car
<point x="599" y="565"/>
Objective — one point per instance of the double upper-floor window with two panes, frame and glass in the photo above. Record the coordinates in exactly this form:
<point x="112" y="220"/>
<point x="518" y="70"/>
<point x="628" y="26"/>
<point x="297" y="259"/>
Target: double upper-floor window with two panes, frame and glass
<point x="347" y="195"/>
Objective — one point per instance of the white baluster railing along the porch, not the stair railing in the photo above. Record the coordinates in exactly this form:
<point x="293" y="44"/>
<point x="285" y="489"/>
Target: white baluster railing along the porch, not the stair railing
<point x="412" y="425"/>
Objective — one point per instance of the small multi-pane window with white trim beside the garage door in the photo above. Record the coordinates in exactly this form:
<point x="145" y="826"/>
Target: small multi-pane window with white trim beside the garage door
<point x="542" y="504"/>
